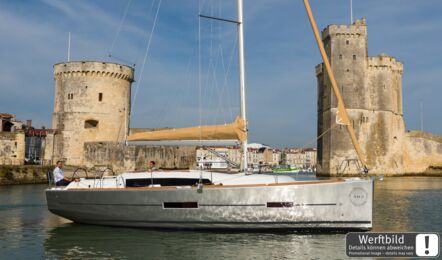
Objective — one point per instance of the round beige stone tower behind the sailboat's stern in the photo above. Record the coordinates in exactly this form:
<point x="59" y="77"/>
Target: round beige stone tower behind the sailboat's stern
<point x="92" y="103"/>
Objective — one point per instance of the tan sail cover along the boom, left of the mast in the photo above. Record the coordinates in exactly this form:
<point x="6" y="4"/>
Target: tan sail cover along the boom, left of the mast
<point x="233" y="131"/>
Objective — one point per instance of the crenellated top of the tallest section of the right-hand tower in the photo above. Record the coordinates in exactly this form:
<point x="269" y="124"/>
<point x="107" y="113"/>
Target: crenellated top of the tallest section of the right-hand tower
<point x="357" y="29"/>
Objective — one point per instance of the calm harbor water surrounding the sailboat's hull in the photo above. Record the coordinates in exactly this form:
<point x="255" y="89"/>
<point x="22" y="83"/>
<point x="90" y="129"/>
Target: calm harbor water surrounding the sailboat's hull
<point x="29" y="231"/>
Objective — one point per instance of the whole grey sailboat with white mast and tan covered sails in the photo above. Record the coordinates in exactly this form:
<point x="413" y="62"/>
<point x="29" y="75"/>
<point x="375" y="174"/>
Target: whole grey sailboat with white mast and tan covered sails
<point x="195" y="199"/>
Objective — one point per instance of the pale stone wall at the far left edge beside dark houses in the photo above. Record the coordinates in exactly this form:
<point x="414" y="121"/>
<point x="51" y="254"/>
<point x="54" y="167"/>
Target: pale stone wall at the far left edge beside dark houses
<point x="12" y="148"/>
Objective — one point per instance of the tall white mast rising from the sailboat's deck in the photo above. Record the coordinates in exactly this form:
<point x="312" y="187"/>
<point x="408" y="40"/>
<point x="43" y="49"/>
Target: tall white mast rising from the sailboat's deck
<point x="242" y="82"/>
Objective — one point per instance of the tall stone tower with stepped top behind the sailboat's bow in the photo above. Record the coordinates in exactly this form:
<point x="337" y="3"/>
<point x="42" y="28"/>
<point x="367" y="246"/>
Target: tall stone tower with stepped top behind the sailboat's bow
<point x="372" y="92"/>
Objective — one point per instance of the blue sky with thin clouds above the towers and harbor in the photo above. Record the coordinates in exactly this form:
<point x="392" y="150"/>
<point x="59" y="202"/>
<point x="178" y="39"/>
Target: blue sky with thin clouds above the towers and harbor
<point x="279" y="47"/>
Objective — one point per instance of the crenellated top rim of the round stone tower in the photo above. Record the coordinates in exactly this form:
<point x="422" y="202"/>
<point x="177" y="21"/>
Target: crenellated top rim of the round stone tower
<point x="93" y="69"/>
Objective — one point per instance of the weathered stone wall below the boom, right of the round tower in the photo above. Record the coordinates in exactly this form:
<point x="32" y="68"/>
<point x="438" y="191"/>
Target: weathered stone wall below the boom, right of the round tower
<point x="134" y="157"/>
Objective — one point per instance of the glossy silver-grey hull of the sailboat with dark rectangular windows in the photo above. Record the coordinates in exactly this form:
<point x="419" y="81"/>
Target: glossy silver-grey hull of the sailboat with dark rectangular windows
<point x="345" y="204"/>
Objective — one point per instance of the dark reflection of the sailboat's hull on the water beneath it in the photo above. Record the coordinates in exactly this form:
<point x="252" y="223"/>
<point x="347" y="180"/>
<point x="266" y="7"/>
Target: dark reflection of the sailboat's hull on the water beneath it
<point x="84" y="241"/>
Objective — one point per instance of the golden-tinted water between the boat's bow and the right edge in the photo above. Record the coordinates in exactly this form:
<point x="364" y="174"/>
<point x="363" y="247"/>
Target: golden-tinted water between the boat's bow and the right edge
<point x="408" y="204"/>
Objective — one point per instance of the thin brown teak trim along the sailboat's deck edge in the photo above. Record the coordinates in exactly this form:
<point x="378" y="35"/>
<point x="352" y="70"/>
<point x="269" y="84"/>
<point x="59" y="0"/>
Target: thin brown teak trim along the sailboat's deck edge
<point x="212" y="186"/>
